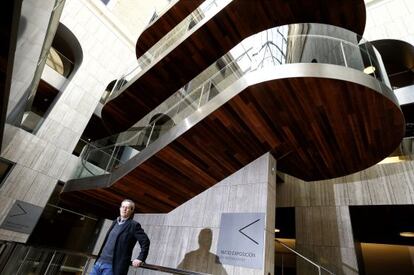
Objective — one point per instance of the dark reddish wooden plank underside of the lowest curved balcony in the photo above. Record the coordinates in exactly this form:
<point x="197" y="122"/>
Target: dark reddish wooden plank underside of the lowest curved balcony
<point x="317" y="128"/>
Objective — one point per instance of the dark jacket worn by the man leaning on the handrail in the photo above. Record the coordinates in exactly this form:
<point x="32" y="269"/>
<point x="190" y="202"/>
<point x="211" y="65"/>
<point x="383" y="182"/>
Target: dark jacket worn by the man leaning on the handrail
<point x="131" y="232"/>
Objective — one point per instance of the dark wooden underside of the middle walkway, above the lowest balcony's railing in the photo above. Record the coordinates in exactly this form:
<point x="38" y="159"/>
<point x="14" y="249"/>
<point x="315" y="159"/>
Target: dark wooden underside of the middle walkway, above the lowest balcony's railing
<point x="238" y="20"/>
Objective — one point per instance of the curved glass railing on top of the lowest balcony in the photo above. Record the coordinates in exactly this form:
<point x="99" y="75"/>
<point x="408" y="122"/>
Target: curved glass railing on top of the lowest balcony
<point x="264" y="51"/>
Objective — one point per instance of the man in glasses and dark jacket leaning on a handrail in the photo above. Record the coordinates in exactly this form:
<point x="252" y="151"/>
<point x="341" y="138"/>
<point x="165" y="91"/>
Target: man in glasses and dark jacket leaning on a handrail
<point x="114" y="257"/>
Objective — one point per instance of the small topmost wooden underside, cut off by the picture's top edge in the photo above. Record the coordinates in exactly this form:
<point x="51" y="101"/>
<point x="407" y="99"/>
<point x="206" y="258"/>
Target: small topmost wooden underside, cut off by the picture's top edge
<point x="164" y="24"/>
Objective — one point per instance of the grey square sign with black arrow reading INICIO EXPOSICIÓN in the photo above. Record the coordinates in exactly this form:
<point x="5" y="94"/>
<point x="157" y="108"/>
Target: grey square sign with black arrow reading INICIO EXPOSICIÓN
<point x="241" y="239"/>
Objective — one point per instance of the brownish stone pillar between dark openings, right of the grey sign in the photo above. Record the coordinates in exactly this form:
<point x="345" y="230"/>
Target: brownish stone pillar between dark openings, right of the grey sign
<point x="324" y="235"/>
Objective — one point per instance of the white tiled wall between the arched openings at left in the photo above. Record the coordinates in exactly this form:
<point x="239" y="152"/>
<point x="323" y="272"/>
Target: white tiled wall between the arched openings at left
<point x="44" y="158"/>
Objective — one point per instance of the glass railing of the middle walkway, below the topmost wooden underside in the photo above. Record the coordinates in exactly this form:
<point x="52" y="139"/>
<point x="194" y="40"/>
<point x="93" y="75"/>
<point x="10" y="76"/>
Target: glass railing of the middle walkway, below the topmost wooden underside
<point x="197" y="18"/>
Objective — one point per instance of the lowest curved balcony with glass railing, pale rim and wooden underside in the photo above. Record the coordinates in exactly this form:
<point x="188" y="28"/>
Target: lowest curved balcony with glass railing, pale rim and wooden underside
<point x="298" y="91"/>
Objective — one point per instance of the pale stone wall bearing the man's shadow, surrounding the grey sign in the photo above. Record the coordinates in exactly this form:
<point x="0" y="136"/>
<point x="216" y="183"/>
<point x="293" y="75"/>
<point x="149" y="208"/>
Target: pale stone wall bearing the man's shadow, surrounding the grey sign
<point x="187" y="237"/>
